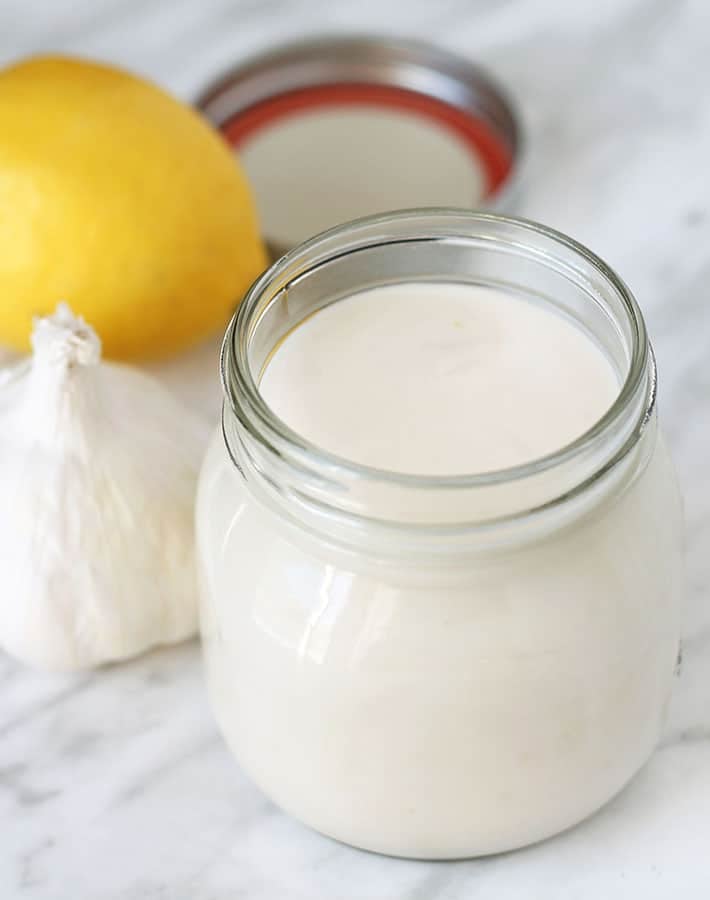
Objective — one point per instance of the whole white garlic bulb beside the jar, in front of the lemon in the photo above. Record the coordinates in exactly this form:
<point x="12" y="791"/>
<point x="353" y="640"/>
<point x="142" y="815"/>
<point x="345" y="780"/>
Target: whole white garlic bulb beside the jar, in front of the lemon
<point x="98" y="470"/>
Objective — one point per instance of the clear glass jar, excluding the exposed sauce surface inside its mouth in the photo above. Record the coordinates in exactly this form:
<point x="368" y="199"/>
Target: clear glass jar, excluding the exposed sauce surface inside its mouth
<point x="487" y="667"/>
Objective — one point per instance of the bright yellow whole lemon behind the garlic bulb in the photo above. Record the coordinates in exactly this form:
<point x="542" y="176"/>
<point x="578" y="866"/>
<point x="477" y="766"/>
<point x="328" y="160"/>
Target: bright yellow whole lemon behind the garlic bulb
<point x="121" y="201"/>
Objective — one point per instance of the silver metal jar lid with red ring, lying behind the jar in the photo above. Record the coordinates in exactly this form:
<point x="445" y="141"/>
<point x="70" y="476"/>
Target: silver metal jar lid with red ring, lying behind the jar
<point x="334" y="129"/>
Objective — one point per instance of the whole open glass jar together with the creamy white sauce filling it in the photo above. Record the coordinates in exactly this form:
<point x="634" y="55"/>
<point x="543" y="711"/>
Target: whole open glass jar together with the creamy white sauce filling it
<point x="440" y="535"/>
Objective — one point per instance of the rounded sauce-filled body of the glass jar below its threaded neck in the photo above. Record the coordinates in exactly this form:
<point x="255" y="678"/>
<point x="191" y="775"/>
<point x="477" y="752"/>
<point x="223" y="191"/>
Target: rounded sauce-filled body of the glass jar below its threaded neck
<point x="442" y="709"/>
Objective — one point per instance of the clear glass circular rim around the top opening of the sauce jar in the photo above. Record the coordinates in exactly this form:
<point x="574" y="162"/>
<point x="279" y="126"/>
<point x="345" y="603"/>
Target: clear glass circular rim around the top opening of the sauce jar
<point x="246" y="401"/>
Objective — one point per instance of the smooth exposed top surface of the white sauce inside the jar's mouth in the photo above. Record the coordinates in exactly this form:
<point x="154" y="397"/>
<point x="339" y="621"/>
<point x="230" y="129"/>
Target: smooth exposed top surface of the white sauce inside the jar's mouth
<point x="438" y="379"/>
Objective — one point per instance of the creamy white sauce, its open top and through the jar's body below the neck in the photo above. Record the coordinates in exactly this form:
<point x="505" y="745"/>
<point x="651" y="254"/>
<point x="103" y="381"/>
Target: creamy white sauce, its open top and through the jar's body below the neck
<point x="456" y="709"/>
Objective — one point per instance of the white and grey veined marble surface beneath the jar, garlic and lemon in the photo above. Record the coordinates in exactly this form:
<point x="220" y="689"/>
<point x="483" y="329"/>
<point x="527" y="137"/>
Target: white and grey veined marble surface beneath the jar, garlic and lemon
<point x="115" y="784"/>
